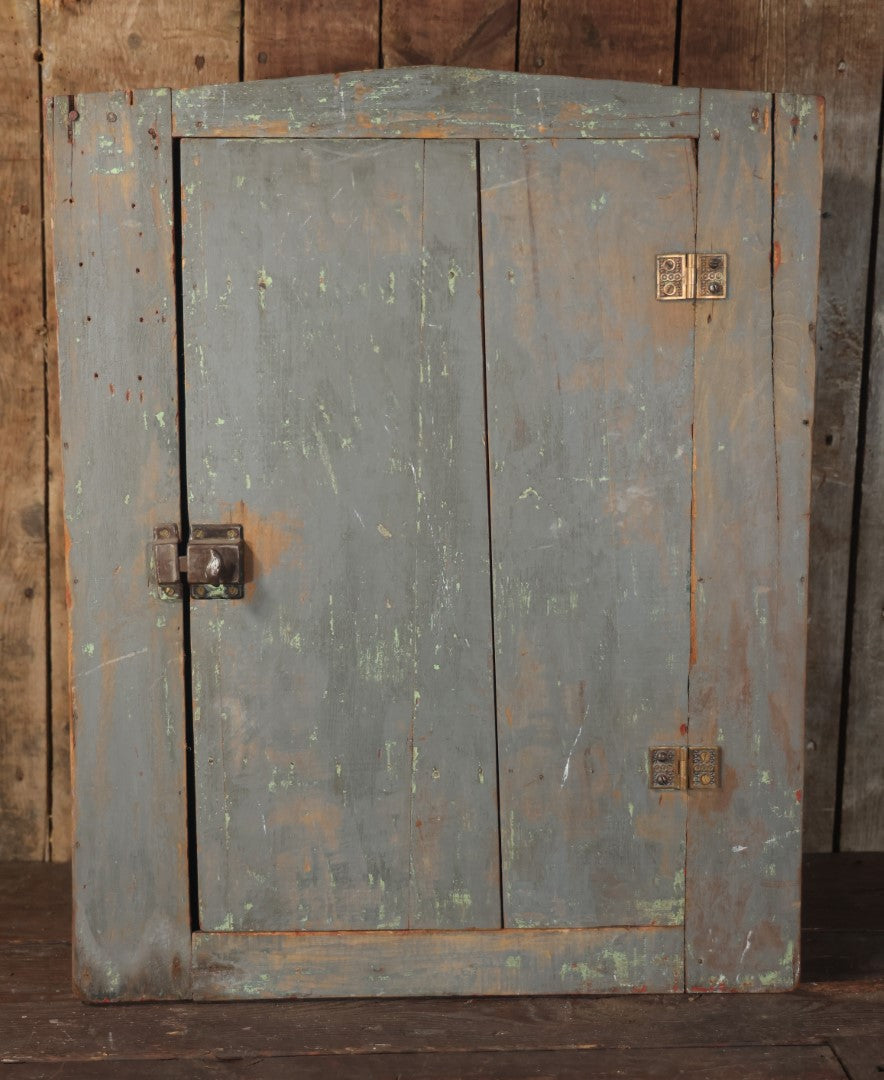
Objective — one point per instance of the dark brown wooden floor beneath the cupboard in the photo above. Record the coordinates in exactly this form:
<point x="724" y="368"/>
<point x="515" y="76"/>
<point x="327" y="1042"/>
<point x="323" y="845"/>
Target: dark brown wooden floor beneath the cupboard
<point x="45" y="1032"/>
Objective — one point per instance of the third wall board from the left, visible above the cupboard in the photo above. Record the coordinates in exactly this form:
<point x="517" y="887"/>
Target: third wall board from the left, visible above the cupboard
<point x="309" y="37"/>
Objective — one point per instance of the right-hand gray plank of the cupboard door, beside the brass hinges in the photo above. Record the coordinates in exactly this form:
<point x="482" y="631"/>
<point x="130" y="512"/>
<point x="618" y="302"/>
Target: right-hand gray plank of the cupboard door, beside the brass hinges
<point x="591" y="399"/>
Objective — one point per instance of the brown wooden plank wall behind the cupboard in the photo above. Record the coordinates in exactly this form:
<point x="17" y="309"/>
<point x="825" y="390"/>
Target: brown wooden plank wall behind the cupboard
<point x="835" y="49"/>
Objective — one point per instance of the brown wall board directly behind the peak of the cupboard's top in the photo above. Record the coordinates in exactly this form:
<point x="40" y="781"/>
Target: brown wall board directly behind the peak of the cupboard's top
<point x="479" y="34"/>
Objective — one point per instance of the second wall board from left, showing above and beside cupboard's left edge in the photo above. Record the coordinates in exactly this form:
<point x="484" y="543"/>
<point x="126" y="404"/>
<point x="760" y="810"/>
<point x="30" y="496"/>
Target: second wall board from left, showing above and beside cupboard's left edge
<point x="85" y="49"/>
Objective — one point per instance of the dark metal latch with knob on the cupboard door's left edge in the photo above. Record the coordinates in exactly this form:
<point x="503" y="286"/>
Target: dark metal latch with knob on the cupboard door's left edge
<point x="213" y="562"/>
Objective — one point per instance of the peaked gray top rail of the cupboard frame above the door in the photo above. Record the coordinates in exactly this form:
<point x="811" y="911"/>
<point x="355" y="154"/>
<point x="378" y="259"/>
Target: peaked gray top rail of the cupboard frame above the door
<point x="438" y="103"/>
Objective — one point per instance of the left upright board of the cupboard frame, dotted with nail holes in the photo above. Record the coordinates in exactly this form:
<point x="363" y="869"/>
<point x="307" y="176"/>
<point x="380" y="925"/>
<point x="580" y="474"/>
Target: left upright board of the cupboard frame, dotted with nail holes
<point x="113" y="208"/>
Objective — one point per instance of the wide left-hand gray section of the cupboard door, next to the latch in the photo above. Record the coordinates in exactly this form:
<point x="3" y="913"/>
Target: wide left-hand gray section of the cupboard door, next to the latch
<point x="344" y="712"/>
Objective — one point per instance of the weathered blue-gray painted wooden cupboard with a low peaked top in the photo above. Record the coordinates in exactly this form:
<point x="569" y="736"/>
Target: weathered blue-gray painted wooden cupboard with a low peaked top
<point x="511" y="523"/>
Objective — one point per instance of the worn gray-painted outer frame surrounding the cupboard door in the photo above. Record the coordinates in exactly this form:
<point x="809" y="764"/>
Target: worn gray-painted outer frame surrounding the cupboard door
<point x="114" y="211"/>
